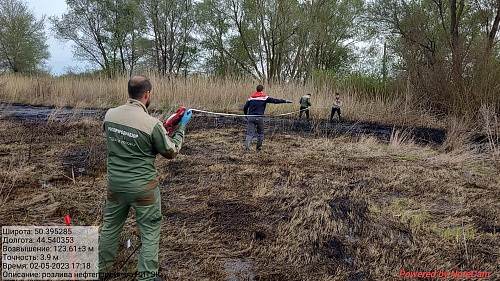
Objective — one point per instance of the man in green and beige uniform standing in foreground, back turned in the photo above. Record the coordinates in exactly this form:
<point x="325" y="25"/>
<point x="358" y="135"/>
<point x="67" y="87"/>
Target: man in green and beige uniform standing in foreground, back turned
<point x="134" y="138"/>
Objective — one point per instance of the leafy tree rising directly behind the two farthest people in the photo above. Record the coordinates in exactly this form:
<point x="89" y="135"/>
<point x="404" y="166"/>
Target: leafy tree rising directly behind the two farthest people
<point x="327" y="31"/>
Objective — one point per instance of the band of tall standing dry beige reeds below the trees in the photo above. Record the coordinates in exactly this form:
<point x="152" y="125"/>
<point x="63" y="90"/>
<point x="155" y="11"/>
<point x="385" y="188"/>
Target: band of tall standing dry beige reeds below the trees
<point x="221" y="95"/>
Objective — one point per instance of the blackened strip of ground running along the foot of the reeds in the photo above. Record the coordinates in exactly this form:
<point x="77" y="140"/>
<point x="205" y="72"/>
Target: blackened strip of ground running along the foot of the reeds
<point x="274" y="125"/>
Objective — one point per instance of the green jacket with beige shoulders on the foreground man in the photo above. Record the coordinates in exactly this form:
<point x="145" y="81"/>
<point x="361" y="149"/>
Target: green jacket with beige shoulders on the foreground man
<point x="134" y="138"/>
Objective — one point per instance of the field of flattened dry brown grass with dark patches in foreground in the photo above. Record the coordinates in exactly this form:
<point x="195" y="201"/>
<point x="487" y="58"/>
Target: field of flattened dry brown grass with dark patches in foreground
<point x="307" y="207"/>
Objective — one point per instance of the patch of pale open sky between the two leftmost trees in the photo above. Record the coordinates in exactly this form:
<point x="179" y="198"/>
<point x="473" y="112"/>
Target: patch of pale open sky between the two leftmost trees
<point x="60" y="53"/>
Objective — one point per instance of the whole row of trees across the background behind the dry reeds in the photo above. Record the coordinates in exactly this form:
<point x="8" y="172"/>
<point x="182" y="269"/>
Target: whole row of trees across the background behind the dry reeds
<point x="442" y="54"/>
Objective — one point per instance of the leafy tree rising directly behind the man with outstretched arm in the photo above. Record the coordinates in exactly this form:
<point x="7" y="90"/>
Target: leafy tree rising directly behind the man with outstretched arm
<point x="263" y="33"/>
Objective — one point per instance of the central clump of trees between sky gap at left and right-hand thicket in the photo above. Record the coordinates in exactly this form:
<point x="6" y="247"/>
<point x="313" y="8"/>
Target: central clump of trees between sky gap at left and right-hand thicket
<point x="269" y="40"/>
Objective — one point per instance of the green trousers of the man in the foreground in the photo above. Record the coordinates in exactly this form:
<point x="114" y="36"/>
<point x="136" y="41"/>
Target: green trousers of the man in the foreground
<point x="148" y="216"/>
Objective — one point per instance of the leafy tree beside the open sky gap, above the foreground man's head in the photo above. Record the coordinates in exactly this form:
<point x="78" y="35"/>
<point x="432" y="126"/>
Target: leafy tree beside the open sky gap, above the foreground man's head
<point x="105" y="33"/>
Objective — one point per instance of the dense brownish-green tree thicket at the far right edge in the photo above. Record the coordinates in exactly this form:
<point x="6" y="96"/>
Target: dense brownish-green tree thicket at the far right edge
<point x="445" y="46"/>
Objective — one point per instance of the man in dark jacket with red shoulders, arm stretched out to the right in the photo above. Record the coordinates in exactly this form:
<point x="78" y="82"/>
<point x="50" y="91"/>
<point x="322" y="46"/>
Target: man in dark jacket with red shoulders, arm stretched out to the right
<point x="256" y="105"/>
